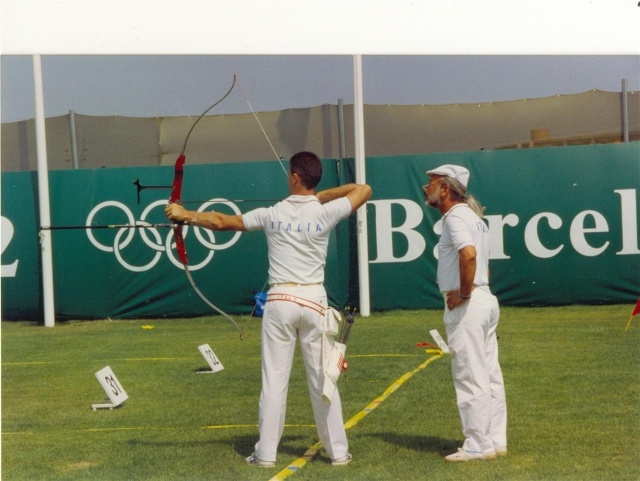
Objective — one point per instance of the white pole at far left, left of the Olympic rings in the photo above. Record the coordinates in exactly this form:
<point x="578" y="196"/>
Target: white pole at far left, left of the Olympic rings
<point x="43" y="195"/>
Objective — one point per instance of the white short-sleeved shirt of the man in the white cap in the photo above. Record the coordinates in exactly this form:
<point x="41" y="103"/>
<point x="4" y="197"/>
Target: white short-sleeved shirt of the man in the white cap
<point x="462" y="228"/>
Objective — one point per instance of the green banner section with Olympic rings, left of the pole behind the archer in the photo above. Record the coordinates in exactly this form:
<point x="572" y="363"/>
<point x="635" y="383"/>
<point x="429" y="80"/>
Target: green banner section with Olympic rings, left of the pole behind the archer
<point x="135" y="273"/>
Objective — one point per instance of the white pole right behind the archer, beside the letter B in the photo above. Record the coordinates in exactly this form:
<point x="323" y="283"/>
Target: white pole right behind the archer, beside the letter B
<point x="361" y="178"/>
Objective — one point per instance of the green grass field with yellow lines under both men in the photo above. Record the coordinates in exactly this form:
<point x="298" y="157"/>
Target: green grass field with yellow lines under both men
<point x="573" y="391"/>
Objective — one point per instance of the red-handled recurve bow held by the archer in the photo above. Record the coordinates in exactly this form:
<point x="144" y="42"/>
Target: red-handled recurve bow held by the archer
<point x="176" y="197"/>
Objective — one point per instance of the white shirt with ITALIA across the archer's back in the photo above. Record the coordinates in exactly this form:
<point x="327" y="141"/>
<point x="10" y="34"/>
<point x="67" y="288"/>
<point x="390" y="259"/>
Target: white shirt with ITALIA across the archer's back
<point x="297" y="230"/>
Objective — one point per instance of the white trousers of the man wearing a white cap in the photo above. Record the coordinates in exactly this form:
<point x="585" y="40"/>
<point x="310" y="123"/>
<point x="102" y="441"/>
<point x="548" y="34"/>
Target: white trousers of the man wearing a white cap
<point x="477" y="377"/>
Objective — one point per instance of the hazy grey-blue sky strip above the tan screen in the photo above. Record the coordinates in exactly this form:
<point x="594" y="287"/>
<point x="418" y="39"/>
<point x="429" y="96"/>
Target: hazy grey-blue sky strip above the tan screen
<point x="179" y="85"/>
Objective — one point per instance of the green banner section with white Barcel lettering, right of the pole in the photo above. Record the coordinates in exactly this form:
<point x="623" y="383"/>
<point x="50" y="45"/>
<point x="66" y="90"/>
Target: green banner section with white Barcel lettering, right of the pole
<point x="563" y="224"/>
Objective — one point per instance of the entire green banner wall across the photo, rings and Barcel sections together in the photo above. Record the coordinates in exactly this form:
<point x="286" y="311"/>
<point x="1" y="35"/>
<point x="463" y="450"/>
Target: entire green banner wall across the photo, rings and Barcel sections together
<point x="563" y="222"/>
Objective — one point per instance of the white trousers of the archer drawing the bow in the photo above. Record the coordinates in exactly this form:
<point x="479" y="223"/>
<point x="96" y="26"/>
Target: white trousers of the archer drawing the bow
<point x="283" y="323"/>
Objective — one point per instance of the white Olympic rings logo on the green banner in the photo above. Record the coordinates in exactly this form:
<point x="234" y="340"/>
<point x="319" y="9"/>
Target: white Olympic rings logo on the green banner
<point x="153" y="238"/>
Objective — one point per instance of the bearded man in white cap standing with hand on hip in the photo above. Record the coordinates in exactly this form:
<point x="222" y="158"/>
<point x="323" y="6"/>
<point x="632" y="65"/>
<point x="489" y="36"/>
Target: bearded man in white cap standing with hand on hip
<point x="470" y="316"/>
